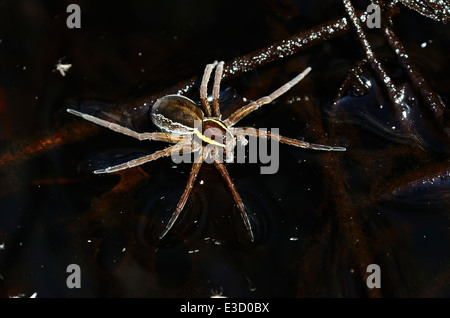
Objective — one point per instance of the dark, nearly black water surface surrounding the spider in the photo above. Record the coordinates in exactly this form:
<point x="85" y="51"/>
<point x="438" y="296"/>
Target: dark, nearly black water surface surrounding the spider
<point x="319" y="221"/>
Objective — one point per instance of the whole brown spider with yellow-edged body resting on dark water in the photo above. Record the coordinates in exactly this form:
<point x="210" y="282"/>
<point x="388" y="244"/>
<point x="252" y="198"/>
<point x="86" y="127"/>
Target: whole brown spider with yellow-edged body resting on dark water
<point x="176" y="116"/>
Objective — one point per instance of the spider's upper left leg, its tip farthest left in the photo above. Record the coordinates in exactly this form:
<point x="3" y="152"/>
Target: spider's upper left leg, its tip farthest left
<point x="159" y="136"/>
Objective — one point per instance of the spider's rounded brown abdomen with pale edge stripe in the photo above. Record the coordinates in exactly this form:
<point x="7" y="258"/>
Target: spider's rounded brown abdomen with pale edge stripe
<point x="176" y="114"/>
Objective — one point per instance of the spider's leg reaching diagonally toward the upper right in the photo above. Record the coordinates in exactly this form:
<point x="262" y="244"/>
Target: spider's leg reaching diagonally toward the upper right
<point x="247" y="109"/>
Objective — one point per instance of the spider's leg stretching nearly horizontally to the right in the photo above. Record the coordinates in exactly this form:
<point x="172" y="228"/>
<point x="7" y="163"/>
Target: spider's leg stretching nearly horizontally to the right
<point x="243" y="131"/>
